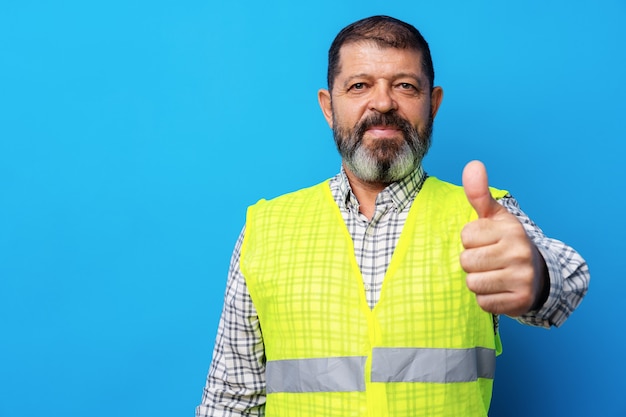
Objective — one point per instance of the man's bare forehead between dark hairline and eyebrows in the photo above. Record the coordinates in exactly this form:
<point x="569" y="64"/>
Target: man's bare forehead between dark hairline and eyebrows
<point x="372" y="59"/>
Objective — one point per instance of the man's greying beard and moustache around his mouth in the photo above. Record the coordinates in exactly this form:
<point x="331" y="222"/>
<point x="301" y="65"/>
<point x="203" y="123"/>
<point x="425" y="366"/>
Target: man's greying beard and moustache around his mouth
<point x="387" y="162"/>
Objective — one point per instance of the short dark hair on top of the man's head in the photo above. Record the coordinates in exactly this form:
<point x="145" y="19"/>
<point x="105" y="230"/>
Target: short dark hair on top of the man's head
<point x="385" y="31"/>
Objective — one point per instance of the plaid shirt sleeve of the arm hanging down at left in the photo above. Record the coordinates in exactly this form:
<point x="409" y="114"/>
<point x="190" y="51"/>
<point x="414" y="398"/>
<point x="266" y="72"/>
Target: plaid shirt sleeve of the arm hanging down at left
<point x="235" y="384"/>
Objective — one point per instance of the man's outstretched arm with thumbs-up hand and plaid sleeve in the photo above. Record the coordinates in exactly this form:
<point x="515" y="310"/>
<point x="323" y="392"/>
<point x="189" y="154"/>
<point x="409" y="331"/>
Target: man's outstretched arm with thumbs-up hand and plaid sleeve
<point x="509" y="268"/>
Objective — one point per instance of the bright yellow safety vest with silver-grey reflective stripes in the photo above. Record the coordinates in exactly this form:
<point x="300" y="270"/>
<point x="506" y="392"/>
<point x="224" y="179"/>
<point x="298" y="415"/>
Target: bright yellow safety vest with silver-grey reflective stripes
<point x="426" y="349"/>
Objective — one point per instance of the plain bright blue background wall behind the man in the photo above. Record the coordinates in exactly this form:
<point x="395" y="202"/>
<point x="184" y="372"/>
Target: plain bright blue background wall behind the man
<point x="133" y="135"/>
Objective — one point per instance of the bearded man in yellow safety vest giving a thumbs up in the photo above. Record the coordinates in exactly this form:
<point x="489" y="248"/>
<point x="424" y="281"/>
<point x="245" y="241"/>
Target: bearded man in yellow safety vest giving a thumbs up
<point x="377" y="292"/>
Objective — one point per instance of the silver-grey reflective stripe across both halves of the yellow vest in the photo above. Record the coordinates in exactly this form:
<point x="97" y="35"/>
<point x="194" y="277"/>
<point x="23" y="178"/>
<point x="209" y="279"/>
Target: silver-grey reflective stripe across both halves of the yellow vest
<point x="345" y="374"/>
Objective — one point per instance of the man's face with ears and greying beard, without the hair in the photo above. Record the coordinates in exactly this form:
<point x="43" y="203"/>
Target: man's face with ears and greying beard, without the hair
<point x="381" y="110"/>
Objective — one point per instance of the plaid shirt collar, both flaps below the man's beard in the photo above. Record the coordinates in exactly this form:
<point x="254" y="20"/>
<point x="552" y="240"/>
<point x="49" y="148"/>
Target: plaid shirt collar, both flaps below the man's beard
<point x="399" y="193"/>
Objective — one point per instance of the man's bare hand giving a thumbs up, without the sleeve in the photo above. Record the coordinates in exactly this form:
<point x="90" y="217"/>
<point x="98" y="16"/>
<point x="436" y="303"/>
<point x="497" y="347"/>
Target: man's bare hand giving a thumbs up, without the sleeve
<point x="504" y="268"/>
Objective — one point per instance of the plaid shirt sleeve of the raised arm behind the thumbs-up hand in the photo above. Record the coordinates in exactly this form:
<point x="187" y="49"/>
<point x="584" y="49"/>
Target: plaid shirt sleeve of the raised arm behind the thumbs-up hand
<point x="568" y="272"/>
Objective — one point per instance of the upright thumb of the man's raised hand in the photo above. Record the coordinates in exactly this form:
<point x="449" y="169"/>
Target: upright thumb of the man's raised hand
<point x="476" y="186"/>
